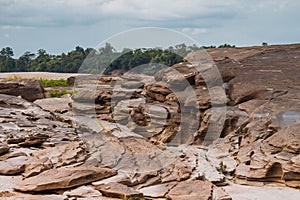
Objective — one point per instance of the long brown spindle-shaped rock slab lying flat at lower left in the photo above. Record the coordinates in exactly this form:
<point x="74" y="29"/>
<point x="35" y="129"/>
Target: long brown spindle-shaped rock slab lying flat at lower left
<point x="63" y="178"/>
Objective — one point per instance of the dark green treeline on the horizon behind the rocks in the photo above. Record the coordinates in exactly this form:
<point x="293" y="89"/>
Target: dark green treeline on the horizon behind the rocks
<point x="107" y="56"/>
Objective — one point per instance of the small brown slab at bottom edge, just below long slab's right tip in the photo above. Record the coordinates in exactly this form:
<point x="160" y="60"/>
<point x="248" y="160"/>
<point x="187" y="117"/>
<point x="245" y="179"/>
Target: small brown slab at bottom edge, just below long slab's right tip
<point x="118" y="190"/>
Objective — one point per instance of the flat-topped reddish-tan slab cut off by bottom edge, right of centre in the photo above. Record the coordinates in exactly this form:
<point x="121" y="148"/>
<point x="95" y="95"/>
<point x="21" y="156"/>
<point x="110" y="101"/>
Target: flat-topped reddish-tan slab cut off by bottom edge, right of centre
<point x="196" y="190"/>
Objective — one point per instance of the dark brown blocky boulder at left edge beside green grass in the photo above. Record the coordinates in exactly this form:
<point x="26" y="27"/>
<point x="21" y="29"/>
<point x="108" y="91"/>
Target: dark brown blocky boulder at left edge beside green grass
<point x="27" y="89"/>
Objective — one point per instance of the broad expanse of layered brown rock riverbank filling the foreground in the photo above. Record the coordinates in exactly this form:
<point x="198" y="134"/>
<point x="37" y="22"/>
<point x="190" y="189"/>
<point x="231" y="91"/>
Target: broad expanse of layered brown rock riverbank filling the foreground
<point x="140" y="137"/>
